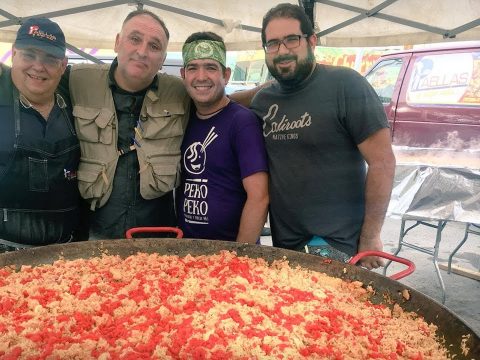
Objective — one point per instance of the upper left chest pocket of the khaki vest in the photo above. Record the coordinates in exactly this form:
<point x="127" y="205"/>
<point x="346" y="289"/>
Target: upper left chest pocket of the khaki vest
<point x="93" y="124"/>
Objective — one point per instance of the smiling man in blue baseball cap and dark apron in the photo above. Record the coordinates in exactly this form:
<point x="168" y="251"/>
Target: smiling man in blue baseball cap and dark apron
<point x="39" y="151"/>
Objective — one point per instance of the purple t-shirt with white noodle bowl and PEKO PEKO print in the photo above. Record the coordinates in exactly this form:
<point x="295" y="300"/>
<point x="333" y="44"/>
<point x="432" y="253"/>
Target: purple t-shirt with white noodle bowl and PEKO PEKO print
<point x="217" y="153"/>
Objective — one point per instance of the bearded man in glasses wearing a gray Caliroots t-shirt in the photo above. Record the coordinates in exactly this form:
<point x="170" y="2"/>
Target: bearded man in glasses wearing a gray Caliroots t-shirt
<point x="322" y="125"/>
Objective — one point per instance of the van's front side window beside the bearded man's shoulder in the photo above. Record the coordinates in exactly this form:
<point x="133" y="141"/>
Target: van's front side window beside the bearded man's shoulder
<point x="384" y="77"/>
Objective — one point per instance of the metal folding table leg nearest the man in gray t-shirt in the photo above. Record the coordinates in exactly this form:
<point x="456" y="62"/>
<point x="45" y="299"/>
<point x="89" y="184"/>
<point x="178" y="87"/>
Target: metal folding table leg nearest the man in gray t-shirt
<point x="401" y="242"/>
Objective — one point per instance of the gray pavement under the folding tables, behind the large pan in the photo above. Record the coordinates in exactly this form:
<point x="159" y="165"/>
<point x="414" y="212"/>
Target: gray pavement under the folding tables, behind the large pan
<point x="462" y="292"/>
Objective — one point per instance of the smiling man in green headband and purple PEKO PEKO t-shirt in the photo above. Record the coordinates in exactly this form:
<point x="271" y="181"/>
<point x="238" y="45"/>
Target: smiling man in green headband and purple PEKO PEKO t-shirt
<point x="224" y="189"/>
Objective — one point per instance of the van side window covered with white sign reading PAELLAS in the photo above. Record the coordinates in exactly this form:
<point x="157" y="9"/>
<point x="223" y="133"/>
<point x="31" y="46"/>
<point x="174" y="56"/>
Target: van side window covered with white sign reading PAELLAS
<point x="445" y="79"/>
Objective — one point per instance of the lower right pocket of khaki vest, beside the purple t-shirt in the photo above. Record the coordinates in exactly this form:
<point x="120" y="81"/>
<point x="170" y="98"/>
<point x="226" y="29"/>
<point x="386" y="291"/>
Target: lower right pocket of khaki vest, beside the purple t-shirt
<point x="160" y="177"/>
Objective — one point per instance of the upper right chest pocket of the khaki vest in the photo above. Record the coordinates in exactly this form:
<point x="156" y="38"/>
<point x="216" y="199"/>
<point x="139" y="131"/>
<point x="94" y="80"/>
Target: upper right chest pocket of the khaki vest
<point x="165" y="123"/>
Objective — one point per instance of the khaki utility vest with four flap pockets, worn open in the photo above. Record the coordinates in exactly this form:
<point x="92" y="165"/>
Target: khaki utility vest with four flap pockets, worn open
<point x="158" y="138"/>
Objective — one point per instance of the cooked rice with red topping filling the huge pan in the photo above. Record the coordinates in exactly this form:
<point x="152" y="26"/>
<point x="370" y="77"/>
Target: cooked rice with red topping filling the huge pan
<point x="204" y="307"/>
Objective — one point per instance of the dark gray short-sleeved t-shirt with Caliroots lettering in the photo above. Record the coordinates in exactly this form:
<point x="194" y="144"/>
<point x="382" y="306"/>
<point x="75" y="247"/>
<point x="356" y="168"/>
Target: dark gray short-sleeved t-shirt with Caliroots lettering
<point x="317" y="184"/>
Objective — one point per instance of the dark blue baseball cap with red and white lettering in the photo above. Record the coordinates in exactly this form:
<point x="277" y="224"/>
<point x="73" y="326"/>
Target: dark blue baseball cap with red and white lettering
<point x="42" y="34"/>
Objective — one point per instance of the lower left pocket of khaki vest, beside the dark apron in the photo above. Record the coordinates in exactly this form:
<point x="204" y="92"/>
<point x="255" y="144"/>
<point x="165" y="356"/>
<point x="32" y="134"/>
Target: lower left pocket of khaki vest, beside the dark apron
<point x="92" y="179"/>
